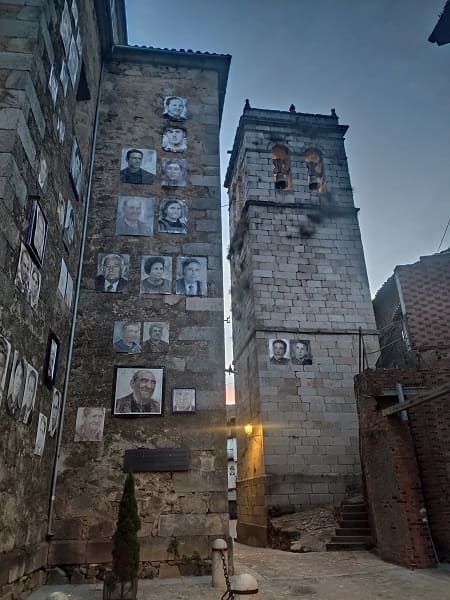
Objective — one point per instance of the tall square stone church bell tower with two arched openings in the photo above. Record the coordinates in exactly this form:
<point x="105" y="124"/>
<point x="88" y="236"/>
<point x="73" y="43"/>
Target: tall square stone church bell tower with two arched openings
<point x="299" y="296"/>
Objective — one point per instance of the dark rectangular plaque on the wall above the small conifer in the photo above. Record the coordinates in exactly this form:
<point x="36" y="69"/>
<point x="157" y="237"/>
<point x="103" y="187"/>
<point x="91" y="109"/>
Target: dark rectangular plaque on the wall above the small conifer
<point x="143" y="460"/>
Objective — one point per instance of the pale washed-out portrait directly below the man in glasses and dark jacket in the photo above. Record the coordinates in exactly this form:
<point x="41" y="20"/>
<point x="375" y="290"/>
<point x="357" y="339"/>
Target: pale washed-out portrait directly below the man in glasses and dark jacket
<point x="134" y="216"/>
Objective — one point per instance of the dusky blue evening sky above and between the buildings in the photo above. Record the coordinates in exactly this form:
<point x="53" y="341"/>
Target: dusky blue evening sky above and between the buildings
<point x="368" y="59"/>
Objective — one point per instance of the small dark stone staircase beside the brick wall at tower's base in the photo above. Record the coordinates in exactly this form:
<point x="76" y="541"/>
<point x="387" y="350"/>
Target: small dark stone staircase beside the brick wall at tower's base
<point x="353" y="532"/>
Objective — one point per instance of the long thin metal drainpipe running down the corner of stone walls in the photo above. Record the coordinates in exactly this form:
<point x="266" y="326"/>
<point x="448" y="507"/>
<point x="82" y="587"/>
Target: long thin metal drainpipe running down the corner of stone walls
<point x="74" y="317"/>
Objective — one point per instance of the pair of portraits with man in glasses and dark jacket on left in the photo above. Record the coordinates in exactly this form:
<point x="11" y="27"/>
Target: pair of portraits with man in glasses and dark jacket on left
<point x="138" y="167"/>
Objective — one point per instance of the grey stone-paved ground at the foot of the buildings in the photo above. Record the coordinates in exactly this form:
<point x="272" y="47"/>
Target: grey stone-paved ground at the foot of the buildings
<point x="289" y="576"/>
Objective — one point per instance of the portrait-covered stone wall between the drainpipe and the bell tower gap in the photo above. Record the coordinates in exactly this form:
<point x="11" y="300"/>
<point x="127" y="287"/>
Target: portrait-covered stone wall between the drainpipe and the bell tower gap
<point x="189" y="506"/>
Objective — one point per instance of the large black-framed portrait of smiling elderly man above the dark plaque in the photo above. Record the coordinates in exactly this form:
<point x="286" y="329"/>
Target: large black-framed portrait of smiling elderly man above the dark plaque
<point x="138" y="391"/>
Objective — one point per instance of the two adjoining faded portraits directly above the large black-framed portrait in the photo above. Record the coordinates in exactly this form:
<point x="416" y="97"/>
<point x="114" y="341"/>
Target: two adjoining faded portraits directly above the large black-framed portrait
<point x="135" y="337"/>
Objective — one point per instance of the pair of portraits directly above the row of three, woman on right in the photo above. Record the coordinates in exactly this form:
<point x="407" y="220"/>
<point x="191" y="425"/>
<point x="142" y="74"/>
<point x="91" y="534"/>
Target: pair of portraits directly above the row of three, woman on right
<point x="135" y="216"/>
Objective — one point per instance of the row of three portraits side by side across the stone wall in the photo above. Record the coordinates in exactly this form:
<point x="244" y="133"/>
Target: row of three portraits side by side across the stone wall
<point x="156" y="274"/>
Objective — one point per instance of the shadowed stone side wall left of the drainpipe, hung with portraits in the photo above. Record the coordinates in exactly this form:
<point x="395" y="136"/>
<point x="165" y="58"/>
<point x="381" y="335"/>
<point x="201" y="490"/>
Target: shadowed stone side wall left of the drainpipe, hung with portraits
<point x="31" y="45"/>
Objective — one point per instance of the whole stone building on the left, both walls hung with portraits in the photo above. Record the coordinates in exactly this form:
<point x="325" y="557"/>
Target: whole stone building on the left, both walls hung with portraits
<point x="73" y="96"/>
